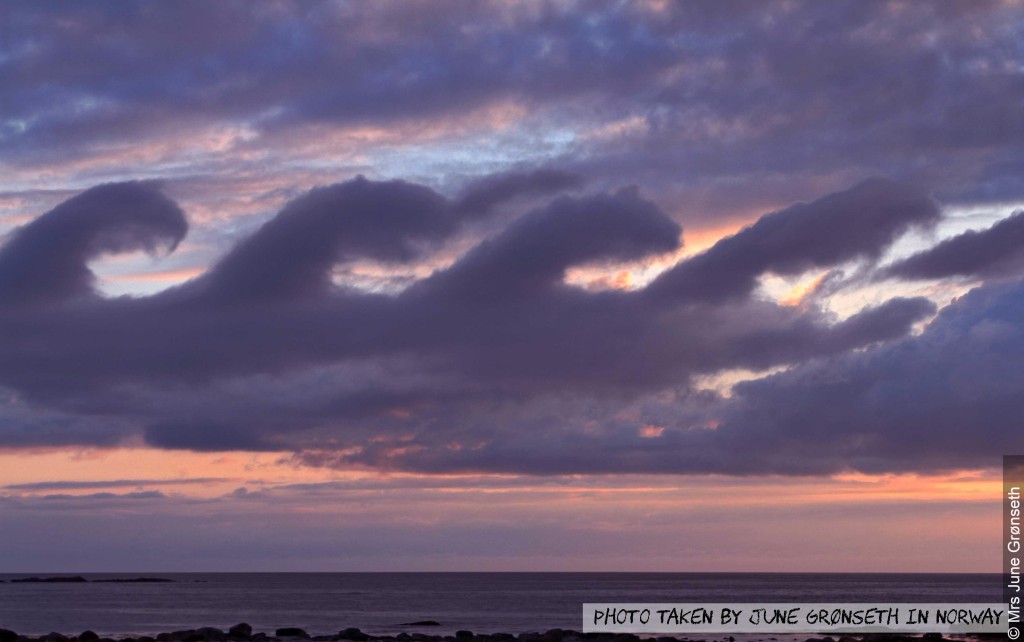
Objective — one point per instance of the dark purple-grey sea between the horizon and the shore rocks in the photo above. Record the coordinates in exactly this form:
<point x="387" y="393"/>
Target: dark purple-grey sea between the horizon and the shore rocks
<point x="325" y="604"/>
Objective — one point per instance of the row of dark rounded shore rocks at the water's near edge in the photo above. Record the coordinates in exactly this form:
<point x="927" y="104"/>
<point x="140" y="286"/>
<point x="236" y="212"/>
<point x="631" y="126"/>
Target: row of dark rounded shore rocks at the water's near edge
<point x="244" y="633"/>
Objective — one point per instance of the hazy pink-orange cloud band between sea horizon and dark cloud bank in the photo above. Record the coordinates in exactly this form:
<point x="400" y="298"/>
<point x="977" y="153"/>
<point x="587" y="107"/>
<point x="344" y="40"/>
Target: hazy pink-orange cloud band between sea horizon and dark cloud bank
<point x="646" y="523"/>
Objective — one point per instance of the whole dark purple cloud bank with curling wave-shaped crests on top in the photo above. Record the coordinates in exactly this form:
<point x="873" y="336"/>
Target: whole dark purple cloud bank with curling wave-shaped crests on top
<point x="492" y="362"/>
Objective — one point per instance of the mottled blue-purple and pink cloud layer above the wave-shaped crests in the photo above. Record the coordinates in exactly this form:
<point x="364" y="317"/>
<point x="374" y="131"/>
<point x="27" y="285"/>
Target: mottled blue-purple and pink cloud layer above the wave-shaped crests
<point x="716" y="115"/>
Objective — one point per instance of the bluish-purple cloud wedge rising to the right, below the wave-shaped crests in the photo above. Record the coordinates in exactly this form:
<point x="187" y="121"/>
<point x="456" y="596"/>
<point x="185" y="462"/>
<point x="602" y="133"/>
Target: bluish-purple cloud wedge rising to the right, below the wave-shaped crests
<point x="944" y="401"/>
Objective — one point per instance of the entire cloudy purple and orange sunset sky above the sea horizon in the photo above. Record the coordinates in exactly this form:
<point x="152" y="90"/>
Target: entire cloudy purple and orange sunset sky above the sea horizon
<point x="509" y="286"/>
